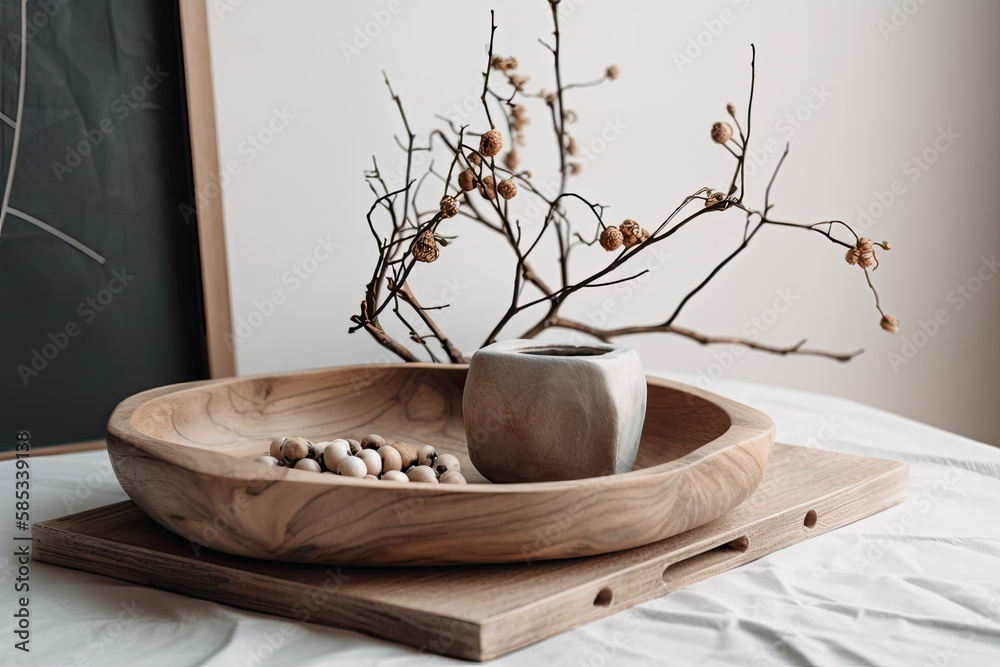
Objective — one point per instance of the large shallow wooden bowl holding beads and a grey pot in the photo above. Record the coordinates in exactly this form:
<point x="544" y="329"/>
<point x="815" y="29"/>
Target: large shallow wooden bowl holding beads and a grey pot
<point x="184" y="454"/>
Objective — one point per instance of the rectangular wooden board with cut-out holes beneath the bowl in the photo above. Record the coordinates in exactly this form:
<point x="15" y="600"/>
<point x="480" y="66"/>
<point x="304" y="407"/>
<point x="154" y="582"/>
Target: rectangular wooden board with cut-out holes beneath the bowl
<point x="480" y="612"/>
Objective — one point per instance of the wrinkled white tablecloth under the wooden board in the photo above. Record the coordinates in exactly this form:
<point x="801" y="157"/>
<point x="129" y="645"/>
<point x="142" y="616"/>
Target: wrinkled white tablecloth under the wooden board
<point x="893" y="589"/>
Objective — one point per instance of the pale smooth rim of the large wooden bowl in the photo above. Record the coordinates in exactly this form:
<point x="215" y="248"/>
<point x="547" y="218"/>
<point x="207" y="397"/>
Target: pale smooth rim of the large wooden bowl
<point x="746" y="426"/>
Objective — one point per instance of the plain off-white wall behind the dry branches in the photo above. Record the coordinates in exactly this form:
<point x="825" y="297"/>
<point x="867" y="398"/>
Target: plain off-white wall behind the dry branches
<point x="860" y="89"/>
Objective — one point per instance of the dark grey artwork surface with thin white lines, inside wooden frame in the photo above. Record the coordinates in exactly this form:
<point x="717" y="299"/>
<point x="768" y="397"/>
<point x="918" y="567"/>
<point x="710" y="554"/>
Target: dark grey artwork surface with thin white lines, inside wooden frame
<point x="100" y="290"/>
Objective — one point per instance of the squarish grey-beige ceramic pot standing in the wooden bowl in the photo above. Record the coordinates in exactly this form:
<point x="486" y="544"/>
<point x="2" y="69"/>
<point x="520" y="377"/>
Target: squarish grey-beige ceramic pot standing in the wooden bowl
<point x="539" y="412"/>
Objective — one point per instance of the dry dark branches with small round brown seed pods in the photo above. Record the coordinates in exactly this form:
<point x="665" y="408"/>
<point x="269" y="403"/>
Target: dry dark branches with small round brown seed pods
<point x="407" y="237"/>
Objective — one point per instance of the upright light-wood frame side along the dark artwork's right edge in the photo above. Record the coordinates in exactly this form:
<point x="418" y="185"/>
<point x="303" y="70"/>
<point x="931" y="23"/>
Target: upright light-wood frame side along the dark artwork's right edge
<point x="205" y="165"/>
